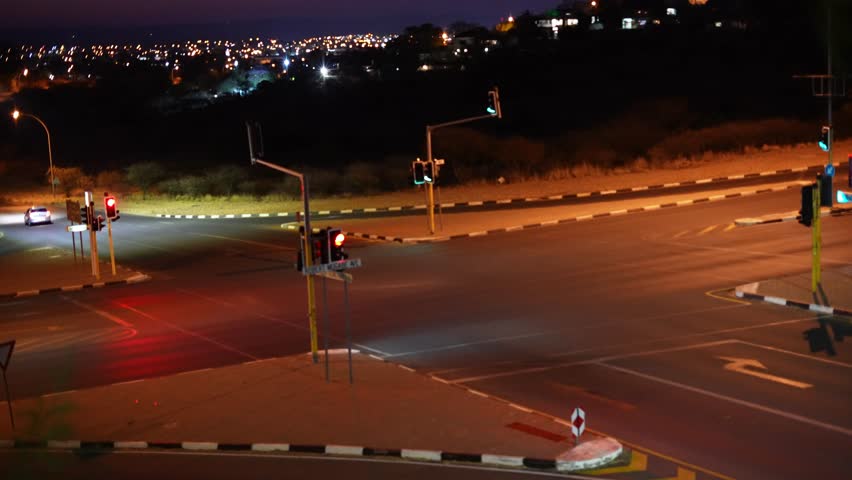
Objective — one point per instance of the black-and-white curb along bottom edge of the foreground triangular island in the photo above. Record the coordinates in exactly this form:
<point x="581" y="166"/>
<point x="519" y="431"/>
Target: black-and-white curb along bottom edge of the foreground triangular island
<point x="435" y="456"/>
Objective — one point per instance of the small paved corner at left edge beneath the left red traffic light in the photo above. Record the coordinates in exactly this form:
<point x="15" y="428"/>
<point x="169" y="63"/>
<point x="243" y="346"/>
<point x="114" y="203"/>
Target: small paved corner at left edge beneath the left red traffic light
<point x="35" y="271"/>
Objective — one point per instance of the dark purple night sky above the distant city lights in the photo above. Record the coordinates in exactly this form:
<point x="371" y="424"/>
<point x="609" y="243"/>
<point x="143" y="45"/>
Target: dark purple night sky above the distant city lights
<point x="297" y="17"/>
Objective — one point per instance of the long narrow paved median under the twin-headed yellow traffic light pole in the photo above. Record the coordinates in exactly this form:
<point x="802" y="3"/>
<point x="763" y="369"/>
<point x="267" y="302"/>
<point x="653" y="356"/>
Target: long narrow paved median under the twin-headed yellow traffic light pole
<point x="413" y="228"/>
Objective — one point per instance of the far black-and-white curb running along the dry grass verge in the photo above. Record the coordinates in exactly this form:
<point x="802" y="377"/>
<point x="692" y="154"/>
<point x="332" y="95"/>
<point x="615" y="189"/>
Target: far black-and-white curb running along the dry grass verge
<point x="507" y="201"/>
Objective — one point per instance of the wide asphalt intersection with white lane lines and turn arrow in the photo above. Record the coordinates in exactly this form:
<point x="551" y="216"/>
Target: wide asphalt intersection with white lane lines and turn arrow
<point x="625" y="316"/>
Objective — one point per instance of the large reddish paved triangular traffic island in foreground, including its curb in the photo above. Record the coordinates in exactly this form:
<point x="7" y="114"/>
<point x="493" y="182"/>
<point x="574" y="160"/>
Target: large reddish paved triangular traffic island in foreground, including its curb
<point x="286" y="404"/>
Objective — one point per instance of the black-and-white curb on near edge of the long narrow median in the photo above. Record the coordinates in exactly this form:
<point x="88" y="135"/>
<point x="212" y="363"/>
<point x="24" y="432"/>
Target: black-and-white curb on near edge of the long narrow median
<point x="581" y="218"/>
